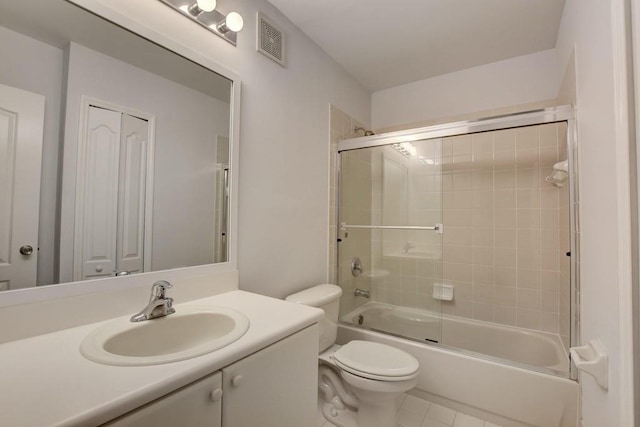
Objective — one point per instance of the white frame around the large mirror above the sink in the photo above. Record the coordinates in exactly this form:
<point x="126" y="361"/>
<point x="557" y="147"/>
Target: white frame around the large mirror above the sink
<point x="170" y="38"/>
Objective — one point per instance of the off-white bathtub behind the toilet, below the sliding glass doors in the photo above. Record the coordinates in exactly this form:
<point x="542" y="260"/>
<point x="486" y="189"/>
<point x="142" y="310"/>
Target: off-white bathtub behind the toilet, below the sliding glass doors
<point x="474" y="375"/>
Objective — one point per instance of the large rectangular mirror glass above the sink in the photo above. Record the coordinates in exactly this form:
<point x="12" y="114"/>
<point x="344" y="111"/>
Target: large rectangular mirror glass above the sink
<point x="133" y="174"/>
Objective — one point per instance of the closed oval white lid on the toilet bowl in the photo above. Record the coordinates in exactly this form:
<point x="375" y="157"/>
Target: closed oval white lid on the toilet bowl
<point x="376" y="361"/>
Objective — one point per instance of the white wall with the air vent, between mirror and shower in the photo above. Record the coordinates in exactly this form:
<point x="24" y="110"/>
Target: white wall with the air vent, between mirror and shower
<point x="284" y="141"/>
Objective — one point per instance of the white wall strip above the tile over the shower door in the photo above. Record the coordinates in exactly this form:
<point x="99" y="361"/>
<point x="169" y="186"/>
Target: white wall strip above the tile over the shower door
<point x="521" y="80"/>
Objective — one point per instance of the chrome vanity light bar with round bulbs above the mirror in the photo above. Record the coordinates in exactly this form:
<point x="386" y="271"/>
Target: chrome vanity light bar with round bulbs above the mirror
<point x="204" y="13"/>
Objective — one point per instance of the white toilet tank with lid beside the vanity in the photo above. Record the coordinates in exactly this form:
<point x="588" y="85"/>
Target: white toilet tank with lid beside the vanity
<point x="326" y="297"/>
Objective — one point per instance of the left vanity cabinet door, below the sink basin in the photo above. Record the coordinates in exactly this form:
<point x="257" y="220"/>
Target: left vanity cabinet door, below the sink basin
<point x="195" y="405"/>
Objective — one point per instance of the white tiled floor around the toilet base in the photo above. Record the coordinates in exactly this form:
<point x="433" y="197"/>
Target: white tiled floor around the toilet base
<point x="415" y="412"/>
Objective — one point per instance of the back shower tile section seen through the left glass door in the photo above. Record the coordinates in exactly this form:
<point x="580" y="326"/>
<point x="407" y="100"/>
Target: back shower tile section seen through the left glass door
<point x="406" y="264"/>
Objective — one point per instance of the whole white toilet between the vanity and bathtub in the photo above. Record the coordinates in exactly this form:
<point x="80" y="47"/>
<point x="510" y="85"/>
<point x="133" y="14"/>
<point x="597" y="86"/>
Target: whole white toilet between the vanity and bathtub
<point x="375" y="374"/>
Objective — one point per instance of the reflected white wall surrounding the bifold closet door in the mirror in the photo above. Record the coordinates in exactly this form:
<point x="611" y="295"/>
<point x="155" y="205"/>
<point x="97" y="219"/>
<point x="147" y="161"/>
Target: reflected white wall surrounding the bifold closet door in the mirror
<point x="187" y="124"/>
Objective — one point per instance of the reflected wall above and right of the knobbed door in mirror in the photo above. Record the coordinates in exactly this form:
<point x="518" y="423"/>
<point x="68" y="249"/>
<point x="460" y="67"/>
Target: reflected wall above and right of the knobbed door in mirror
<point x="40" y="71"/>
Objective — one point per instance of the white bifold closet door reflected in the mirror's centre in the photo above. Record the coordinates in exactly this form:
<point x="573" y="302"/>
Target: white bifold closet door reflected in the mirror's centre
<point x="110" y="233"/>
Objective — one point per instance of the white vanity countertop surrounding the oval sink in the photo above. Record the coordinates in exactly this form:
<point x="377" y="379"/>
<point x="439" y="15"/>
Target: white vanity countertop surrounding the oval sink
<point x="47" y="382"/>
